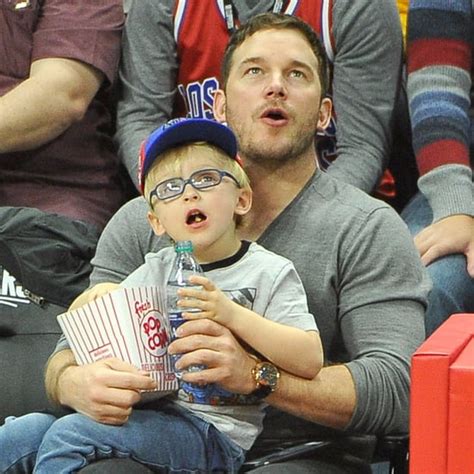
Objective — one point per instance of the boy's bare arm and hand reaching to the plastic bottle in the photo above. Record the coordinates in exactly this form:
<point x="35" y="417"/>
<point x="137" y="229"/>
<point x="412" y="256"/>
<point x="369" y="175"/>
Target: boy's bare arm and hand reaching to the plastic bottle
<point x="292" y="349"/>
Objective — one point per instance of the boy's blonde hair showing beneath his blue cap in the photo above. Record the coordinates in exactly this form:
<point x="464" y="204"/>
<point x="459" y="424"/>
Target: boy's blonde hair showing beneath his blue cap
<point x="172" y="159"/>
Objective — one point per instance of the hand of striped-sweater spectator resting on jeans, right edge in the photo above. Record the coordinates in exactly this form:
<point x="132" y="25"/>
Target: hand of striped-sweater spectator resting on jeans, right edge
<point x="453" y="234"/>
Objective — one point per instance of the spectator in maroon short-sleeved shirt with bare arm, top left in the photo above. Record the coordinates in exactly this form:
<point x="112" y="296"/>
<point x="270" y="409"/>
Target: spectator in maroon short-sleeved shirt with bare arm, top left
<point x="57" y="62"/>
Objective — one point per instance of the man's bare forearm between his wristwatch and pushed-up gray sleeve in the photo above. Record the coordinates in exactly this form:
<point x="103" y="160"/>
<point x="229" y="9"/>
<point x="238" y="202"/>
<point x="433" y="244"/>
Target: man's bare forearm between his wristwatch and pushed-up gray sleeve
<point x="329" y="399"/>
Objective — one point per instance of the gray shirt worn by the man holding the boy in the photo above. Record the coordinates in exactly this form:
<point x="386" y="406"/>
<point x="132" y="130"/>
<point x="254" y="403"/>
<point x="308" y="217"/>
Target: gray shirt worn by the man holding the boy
<point x="363" y="279"/>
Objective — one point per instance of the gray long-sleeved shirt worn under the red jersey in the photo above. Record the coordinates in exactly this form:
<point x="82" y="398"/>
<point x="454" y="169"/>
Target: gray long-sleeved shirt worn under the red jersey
<point x="366" y="74"/>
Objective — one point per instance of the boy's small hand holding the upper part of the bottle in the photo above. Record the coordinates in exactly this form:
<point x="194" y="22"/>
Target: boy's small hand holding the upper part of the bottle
<point x="212" y="302"/>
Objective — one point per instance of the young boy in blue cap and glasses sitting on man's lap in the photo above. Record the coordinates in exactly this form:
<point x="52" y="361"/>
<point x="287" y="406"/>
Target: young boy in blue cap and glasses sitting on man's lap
<point x="197" y="190"/>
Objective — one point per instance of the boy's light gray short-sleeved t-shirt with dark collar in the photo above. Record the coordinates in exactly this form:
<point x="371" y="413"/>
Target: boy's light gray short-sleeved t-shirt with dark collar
<point x="259" y="280"/>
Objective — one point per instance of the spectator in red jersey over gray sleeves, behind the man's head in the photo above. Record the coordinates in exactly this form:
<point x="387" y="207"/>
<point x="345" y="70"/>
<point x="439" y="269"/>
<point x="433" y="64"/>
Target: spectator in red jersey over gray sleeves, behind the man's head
<point x="172" y="51"/>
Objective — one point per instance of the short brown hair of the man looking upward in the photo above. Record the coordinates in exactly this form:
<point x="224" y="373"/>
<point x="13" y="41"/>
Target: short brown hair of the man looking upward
<point x="277" y="21"/>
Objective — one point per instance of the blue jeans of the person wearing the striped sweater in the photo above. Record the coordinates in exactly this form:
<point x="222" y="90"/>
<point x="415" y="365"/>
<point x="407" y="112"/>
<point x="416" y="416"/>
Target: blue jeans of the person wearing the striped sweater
<point x="453" y="288"/>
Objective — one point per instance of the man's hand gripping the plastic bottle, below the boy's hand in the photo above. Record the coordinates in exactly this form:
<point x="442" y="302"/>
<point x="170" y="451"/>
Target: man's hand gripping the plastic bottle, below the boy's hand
<point x="203" y="341"/>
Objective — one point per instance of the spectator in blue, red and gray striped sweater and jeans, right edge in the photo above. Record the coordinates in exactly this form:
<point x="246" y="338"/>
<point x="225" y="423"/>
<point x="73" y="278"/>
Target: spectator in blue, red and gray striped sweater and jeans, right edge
<point x="441" y="215"/>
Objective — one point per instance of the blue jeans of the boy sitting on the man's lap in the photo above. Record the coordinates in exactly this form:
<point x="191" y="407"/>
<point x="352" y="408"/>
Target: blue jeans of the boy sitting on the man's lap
<point x="170" y="439"/>
